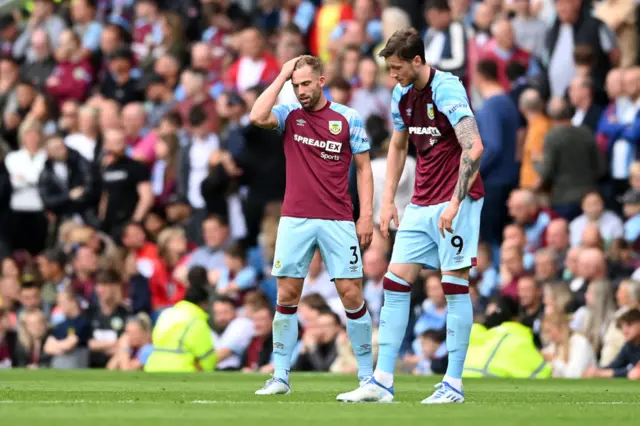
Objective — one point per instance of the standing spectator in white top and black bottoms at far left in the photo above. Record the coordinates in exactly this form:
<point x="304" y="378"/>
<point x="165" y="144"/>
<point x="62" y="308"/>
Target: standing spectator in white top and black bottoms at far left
<point x="29" y="223"/>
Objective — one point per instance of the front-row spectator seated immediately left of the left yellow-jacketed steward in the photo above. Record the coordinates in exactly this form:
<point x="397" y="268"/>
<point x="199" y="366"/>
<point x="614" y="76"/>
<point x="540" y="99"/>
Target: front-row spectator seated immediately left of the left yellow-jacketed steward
<point x="134" y="347"/>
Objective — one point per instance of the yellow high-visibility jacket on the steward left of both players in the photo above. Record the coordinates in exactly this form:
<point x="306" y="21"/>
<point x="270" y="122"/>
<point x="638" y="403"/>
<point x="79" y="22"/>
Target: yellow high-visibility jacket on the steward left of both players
<point x="182" y="341"/>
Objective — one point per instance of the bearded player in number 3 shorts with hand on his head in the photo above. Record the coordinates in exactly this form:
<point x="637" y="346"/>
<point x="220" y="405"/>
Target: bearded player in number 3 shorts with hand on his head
<point x="320" y="139"/>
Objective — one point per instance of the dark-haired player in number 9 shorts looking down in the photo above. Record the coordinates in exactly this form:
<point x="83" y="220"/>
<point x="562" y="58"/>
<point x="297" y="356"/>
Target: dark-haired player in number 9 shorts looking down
<point x="440" y="228"/>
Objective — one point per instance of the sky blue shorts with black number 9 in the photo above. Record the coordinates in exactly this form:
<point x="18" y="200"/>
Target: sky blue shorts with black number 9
<point x="419" y="241"/>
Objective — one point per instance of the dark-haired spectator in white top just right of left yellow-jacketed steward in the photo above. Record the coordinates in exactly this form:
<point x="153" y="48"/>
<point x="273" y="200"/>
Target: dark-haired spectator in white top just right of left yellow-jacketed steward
<point x="232" y="334"/>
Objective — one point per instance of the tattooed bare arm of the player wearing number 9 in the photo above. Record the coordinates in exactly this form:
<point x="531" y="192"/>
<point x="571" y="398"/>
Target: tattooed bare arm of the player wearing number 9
<point x="467" y="133"/>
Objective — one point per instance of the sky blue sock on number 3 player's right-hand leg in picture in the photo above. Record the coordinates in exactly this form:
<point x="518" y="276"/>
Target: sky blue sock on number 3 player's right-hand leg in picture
<point x="360" y="331"/>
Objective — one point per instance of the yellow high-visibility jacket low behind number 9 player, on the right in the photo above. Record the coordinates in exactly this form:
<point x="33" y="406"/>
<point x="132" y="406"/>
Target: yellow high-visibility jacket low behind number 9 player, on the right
<point x="504" y="351"/>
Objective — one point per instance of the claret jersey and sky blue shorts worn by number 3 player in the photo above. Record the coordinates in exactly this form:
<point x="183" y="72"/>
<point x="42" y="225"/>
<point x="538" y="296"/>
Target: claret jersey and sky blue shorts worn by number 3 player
<point x="317" y="210"/>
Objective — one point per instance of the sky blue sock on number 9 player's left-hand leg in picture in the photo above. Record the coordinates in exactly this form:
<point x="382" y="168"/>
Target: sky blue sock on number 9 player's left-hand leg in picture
<point x="393" y="325"/>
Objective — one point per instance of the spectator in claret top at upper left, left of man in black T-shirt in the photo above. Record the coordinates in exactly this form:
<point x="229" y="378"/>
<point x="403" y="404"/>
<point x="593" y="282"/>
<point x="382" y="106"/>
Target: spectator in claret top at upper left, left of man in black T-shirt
<point x="72" y="77"/>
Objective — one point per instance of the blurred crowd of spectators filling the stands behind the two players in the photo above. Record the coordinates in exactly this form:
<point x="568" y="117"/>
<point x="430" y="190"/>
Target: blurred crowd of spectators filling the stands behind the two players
<point x="130" y="174"/>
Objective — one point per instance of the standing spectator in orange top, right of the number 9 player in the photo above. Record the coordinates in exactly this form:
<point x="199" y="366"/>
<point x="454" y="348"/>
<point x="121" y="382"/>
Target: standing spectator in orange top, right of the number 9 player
<point x="532" y="107"/>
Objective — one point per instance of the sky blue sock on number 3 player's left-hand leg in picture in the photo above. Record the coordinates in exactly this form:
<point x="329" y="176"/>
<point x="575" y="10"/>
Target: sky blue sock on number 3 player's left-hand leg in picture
<point x="285" y="337"/>
